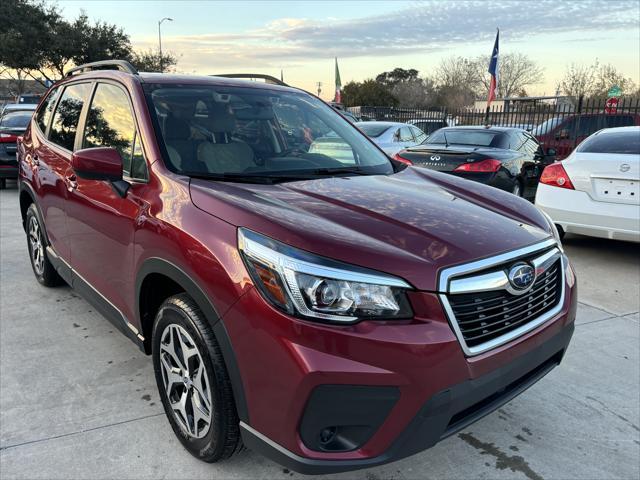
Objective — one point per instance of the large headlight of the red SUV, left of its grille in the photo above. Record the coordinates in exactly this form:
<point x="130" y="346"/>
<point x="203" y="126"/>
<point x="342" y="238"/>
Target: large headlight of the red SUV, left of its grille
<point x="307" y="285"/>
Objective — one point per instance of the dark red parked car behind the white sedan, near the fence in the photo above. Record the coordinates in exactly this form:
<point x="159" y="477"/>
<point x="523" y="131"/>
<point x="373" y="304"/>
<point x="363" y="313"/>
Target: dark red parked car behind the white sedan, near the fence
<point x="564" y="133"/>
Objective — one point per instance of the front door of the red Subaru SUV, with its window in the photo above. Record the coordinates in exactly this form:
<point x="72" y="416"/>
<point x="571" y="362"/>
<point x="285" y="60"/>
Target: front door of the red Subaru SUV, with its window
<point x="102" y="223"/>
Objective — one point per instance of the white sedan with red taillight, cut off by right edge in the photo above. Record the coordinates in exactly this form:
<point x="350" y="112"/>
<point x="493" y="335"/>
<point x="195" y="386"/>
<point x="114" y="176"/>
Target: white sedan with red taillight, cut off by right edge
<point x="595" y="191"/>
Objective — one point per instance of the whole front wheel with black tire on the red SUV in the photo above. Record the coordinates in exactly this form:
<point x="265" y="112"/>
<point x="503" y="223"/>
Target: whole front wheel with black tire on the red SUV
<point x="193" y="382"/>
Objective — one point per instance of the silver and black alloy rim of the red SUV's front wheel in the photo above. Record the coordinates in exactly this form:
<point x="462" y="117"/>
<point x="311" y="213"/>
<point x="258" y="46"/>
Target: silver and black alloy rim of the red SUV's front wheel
<point x="185" y="380"/>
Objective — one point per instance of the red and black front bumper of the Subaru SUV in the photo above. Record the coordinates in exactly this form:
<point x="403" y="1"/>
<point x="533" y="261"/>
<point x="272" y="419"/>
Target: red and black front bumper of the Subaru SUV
<point x="283" y="361"/>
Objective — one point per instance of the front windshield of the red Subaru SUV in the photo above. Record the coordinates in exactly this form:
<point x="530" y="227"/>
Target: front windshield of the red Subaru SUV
<point x="221" y="131"/>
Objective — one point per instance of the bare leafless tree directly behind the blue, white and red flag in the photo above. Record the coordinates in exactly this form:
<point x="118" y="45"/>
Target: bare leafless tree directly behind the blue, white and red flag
<point x="516" y="70"/>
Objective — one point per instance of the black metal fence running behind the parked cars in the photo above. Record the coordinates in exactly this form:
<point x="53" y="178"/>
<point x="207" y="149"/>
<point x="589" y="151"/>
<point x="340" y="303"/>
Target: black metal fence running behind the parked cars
<point x="591" y="114"/>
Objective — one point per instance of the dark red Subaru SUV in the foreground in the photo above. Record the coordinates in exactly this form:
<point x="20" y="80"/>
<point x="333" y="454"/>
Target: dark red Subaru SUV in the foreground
<point x="331" y="314"/>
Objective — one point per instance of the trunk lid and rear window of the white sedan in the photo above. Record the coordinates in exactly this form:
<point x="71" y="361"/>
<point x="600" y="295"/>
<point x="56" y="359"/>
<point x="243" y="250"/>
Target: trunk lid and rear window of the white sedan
<point x="607" y="167"/>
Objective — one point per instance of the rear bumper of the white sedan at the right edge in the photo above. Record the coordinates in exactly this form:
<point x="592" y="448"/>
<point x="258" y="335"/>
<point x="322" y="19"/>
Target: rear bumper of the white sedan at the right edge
<point x="576" y="212"/>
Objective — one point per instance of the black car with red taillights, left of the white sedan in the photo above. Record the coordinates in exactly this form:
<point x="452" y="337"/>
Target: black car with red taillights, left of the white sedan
<point x="506" y="158"/>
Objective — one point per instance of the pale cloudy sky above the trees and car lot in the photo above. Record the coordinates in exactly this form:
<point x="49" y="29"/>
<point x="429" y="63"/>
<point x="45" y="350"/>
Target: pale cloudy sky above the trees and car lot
<point x="369" y="37"/>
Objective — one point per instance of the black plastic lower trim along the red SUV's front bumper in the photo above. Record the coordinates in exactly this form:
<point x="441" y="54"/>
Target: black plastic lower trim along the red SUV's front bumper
<point x="444" y="414"/>
